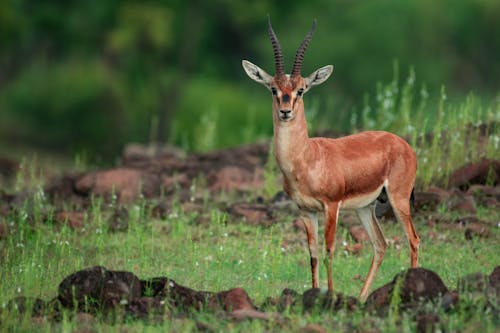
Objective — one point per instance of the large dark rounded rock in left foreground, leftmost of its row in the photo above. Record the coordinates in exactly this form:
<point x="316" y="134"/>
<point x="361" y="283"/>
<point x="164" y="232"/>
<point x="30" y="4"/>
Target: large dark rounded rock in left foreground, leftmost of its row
<point x="90" y="289"/>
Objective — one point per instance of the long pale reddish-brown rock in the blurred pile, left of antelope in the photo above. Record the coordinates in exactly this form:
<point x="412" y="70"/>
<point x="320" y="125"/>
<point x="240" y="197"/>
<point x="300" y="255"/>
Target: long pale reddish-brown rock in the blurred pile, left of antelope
<point x="125" y="183"/>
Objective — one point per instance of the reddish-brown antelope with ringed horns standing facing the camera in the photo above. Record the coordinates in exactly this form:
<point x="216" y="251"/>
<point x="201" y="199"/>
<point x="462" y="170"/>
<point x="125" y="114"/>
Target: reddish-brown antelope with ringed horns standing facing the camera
<point x="323" y="175"/>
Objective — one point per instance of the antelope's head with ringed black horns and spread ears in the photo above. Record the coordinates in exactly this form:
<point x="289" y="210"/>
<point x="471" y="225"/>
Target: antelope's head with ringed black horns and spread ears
<point x="287" y="90"/>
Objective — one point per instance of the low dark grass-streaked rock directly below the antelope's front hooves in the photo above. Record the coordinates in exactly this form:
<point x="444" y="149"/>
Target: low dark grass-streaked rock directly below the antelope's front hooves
<point x="315" y="299"/>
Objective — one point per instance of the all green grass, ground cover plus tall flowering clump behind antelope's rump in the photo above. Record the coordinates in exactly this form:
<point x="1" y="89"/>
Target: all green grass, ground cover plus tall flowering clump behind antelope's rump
<point x="212" y="250"/>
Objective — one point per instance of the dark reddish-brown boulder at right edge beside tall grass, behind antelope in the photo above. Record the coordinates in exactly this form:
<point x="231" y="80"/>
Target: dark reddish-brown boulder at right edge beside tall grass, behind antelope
<point x="482" y="172"/>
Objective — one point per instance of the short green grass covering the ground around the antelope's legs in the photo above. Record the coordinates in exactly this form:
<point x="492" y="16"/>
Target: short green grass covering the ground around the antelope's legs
<point x="220" y="255"/>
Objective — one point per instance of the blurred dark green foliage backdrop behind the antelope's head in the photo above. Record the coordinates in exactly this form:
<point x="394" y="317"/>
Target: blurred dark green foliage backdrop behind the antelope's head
<point x="90" y="76"/>
